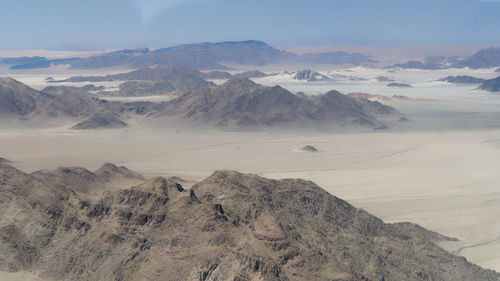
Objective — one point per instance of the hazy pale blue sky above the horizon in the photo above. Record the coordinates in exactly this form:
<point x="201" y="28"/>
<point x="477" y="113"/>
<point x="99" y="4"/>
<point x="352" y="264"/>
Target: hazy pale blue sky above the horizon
<point x="101" y="24"/>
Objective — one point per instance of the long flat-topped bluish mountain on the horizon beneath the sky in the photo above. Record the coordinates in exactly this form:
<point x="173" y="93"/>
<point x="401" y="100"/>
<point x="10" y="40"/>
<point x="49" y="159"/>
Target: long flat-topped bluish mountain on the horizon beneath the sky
<point x="201" y="56"/>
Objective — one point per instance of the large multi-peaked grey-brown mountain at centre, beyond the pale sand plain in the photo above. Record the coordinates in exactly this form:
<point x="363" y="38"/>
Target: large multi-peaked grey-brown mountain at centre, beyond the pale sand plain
<point x="241" y="102"/>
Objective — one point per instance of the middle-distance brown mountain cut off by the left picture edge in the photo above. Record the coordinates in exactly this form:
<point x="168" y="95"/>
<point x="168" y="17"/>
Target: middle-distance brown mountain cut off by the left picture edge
<point x="17" y="99"/>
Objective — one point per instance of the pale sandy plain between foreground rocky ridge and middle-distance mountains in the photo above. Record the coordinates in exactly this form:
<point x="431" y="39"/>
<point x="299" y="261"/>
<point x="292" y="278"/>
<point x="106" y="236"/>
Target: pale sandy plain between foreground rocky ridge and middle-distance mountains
<point x="447" y="182"/>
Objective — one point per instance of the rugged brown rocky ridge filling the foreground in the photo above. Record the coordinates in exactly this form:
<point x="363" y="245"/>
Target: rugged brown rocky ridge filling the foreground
<point x="230" y="226"/>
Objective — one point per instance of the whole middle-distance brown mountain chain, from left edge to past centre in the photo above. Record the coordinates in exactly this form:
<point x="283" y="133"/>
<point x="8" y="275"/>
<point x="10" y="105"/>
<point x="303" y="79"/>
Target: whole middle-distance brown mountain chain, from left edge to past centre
<point x="236" y="103"/>
